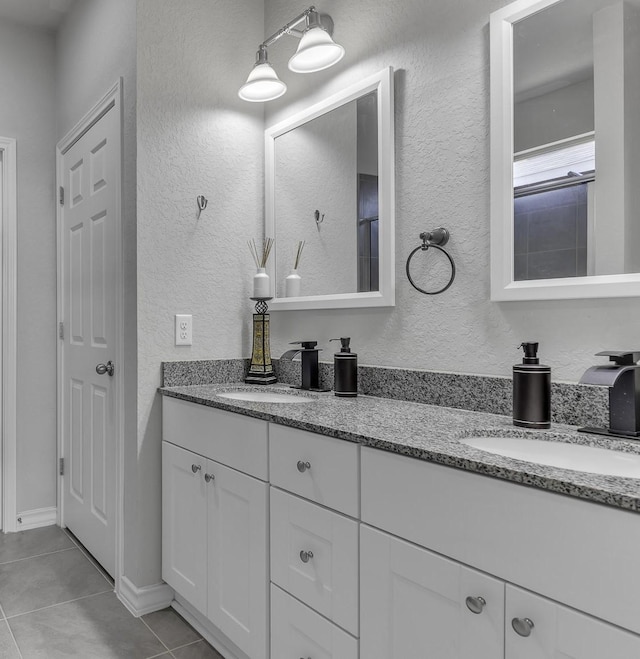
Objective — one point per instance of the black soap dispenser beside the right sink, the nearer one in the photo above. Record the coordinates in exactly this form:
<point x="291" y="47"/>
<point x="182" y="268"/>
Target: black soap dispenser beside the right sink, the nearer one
<point x="531" y="390"/>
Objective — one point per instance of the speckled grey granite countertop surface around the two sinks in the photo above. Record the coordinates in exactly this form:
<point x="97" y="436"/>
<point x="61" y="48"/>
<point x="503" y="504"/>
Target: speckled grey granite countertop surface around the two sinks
<point x="431" y="433"/>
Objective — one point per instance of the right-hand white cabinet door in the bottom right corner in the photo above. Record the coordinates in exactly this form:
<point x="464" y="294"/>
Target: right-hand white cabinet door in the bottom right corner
<point x="559" y="632"/>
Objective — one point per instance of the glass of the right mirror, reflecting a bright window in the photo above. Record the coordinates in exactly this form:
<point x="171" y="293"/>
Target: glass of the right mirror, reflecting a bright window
<point x="576" y="140"/>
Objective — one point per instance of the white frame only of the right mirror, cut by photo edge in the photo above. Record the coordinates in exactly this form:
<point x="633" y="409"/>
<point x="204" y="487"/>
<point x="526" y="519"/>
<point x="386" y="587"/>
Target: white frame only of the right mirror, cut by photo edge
<point x="503" y="285"/>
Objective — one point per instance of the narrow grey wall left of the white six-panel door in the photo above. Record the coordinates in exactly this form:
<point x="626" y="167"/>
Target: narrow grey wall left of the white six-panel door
<point x="26" y="113"/>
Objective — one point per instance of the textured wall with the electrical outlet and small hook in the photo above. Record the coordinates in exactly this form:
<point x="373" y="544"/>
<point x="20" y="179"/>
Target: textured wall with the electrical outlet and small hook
<point x="195" y="136"/>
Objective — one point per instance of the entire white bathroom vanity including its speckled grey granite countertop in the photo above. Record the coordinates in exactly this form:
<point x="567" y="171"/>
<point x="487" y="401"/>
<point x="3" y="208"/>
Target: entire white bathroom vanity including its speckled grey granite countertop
<point x="364" y="527"/>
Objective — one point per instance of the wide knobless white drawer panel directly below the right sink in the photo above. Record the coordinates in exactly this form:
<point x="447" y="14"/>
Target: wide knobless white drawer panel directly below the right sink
<point x="542" y="541"/>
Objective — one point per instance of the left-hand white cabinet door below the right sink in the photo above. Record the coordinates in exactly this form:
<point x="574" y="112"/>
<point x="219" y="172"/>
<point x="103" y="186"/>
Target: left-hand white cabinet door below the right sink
<point x="413" y="604"/>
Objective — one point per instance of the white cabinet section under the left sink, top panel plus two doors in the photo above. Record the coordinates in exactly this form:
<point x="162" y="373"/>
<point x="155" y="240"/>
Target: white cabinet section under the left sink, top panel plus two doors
<point x="215" y="520"/>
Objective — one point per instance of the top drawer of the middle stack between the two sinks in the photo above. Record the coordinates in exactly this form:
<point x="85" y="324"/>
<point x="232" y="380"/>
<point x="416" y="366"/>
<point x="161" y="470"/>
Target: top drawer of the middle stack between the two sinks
<point x="332" y="476"/>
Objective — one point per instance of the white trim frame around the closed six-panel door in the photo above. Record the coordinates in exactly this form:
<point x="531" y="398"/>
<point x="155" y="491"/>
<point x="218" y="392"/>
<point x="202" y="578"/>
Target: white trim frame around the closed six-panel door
<point x="112" y="99"/>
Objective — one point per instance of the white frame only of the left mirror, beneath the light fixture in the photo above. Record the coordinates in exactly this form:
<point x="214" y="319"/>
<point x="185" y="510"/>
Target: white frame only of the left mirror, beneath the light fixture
<point x="381" y="82"/>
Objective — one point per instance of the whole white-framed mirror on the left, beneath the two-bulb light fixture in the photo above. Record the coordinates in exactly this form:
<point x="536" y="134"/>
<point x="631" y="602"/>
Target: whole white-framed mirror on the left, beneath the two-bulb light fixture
<point x="329" y="184"/>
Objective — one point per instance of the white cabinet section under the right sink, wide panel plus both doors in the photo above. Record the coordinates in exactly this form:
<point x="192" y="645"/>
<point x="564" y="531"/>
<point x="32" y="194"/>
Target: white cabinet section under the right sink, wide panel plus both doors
<point x="414" y="601"/>
